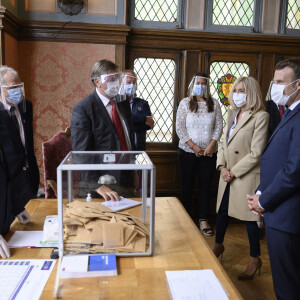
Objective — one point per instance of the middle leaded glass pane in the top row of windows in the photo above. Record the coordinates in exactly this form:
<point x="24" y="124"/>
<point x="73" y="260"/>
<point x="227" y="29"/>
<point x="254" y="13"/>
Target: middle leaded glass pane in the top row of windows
<point x="233" y="12"/>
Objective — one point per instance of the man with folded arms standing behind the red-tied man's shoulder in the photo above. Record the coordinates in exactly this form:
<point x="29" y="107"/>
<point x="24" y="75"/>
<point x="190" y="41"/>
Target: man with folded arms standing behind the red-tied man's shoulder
<point x="141" y="113"/>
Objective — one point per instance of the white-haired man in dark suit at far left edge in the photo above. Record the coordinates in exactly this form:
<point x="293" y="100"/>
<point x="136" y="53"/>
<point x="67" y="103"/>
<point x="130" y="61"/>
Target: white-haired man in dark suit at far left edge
<point x="19" y="174"/>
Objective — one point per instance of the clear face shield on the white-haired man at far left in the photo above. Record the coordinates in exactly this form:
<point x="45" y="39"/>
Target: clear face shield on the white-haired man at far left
<point x="13" y="94"/>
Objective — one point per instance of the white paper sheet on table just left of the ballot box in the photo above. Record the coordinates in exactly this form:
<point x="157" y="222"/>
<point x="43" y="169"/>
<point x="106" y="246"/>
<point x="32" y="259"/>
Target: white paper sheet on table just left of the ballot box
<point x="28" y="239"/>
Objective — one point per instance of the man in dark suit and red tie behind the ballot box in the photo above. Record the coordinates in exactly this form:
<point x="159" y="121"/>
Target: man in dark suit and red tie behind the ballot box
<point x="99" y="123"/>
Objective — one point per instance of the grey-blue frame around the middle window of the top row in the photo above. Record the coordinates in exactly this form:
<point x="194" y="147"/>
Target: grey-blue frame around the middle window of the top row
<point x="256" y="28"/>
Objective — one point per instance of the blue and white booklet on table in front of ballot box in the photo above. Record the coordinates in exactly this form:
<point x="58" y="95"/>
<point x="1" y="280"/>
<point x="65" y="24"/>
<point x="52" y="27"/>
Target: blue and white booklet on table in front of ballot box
<point x="78" y="266"/>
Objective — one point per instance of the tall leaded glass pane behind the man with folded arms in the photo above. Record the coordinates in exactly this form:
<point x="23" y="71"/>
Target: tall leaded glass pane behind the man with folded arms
<point x="156" y="84"/>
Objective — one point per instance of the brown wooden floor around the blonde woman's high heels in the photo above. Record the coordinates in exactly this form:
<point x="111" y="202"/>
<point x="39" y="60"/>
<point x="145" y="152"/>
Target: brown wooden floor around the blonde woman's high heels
<point x="235" y="260"/>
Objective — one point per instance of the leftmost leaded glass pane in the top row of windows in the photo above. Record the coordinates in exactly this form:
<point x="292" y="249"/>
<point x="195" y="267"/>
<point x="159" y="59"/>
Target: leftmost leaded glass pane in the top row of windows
<point x="156" y="10"/>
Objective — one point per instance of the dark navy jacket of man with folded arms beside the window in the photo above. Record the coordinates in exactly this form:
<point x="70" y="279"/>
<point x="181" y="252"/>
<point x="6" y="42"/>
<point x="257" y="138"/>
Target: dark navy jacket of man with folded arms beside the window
<point x="140" y="109"/>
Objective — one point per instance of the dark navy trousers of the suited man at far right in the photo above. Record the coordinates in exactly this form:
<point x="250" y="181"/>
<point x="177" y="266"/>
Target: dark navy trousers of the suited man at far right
<point x="284" y="249"/>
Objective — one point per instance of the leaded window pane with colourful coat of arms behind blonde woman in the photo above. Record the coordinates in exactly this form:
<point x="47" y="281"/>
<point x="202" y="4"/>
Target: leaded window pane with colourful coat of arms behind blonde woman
<point x="222" y="76"/>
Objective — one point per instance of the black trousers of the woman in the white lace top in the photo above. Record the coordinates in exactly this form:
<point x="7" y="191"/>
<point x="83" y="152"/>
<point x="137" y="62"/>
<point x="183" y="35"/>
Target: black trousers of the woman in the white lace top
<point x="191" y="168"/>
